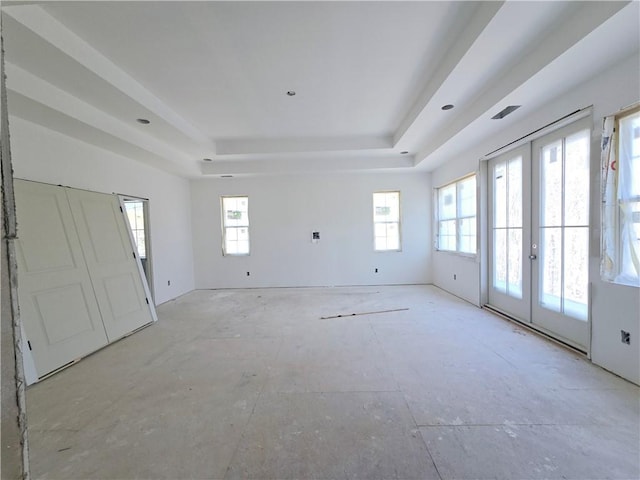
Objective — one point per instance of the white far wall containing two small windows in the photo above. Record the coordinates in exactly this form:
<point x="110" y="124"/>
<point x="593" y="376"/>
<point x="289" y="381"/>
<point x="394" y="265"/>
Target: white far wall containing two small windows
<point x="284" y="210"/>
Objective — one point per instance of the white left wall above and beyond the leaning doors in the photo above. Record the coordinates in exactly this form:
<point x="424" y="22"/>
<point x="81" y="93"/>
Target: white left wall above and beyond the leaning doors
<point x="46" y="156"/>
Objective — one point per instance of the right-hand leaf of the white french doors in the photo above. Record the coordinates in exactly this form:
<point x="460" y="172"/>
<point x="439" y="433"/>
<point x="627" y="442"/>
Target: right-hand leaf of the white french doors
<point x="560" y="232"/>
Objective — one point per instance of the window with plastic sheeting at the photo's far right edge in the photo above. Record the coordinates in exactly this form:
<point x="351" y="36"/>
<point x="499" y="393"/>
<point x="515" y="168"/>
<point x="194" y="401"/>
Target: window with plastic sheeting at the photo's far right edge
<point x="621" y="214"/>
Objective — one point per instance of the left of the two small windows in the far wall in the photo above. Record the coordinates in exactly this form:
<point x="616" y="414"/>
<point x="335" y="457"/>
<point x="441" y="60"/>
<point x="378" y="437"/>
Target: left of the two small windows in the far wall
<point x="235" y="225"/>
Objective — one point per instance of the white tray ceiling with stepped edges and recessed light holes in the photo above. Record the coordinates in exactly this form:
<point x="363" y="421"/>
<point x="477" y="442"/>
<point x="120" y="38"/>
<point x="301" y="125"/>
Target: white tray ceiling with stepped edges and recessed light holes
<point x="370" y="77"/>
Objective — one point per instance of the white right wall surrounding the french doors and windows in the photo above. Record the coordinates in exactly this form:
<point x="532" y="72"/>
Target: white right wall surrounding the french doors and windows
<point x="614" y="307"/>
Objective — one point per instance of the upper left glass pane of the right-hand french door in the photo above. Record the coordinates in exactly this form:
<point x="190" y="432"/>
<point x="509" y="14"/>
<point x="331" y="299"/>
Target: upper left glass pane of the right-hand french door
<point x="551" y="185"/>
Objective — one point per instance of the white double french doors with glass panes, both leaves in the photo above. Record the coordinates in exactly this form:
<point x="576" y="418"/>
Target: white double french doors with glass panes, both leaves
<point x="539" y="233"/>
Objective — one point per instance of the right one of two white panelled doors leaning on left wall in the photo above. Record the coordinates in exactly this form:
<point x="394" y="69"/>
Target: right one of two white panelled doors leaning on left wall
<point x="111" y="260"/>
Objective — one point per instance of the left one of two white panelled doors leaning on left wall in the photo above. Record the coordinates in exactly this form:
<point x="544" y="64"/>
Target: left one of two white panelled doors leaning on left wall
<point x="60" y="314"/>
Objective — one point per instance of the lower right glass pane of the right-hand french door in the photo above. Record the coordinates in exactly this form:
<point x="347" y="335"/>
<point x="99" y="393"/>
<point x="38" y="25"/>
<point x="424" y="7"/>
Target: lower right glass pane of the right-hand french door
<point x="576" y="271"/>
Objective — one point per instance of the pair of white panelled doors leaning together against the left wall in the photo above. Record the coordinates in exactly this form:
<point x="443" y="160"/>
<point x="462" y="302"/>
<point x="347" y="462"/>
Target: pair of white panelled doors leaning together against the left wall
<point x="80" y="287"/>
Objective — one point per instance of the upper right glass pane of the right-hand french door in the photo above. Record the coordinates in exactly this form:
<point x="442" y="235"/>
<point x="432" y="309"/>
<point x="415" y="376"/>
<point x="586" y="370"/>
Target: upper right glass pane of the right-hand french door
<point x="577" y="179"/>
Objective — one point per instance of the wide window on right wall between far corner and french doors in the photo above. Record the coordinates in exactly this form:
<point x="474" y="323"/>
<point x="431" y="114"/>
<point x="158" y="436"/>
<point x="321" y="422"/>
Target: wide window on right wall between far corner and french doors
<point x="457" y="216"/>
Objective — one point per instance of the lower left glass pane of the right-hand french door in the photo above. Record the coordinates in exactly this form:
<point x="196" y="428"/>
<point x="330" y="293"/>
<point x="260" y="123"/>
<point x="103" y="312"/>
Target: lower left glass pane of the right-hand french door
<point x="550" y="264"/>
